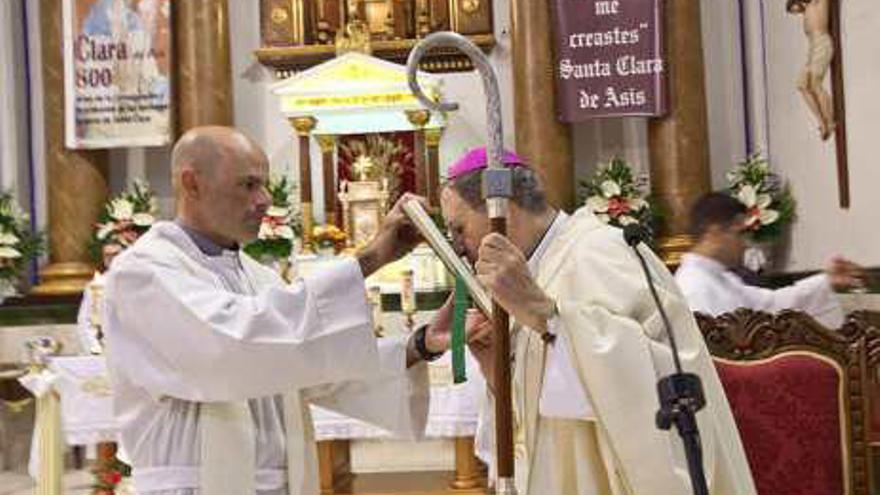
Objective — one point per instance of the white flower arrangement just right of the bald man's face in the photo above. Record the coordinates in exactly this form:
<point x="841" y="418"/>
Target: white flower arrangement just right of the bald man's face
<point x="280" y="226"/>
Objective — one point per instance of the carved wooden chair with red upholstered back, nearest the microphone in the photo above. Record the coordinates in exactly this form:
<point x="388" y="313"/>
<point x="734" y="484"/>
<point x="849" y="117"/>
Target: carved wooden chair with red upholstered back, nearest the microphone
<point x="798" y="393"/>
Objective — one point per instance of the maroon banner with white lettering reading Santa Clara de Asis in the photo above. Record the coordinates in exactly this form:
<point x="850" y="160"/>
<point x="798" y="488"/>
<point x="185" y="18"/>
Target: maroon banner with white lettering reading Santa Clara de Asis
<point x="609" y="59"/>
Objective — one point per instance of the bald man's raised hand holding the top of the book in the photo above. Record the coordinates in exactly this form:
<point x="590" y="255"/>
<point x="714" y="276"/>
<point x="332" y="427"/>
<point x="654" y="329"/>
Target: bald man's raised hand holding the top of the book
<point x="396" y="237"/>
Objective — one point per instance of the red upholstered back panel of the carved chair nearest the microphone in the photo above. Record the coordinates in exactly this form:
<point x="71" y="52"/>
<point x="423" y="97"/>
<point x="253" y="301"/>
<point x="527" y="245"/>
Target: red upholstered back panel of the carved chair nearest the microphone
<point x="788" y="409"/>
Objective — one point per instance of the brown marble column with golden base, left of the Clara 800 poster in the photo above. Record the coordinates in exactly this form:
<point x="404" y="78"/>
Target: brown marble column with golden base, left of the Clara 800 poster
<point x="76" y="180"/>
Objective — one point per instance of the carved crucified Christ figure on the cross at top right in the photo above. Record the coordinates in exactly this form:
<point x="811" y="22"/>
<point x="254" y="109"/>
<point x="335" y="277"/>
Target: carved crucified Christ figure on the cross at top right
<point x="817" y="26"/>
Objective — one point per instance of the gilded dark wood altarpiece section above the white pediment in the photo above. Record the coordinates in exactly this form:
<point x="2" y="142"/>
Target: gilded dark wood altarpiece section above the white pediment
<point x="297" y="34"/>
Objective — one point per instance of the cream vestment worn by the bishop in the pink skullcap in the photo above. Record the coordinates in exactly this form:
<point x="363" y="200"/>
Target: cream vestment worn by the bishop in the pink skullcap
<point x="601" y="438"/>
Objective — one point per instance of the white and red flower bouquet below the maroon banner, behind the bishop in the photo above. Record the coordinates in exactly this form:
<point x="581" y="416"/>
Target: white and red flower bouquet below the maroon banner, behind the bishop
<point x="616" y="198"/>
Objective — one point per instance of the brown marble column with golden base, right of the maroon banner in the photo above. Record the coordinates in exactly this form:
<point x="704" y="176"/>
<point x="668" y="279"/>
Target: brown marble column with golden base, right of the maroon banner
<point x="679" y="142"/>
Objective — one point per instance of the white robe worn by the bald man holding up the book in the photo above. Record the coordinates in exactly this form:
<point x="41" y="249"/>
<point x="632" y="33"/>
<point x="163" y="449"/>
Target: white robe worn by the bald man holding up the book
<point x="214" y="361"/>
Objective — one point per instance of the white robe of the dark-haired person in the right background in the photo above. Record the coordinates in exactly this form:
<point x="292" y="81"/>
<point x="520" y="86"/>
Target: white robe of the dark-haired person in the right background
<point x="712" y="289"/>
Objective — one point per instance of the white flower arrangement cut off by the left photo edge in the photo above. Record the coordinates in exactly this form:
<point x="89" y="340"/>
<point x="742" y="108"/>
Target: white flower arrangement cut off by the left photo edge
<point x="18" y="244"/>
